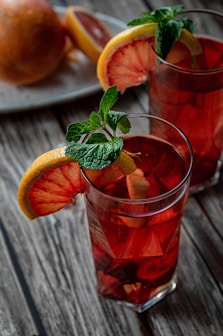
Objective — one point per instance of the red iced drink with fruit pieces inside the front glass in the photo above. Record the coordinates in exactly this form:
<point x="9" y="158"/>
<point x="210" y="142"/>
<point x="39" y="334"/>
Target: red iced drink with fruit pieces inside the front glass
<point x="135" y="248"/>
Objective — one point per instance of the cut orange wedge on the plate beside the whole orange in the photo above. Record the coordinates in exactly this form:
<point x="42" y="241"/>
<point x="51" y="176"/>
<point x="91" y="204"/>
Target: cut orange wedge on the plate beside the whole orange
<point x="87" y="31"/>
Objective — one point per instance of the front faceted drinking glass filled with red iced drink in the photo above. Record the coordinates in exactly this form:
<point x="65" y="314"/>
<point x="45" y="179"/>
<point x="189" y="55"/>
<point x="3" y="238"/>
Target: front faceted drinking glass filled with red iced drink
<point x="135" y="241"/>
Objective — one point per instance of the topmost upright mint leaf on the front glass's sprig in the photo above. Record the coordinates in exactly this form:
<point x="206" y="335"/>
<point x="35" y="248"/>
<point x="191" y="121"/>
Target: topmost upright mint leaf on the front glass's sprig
<point x="108" y="100"/>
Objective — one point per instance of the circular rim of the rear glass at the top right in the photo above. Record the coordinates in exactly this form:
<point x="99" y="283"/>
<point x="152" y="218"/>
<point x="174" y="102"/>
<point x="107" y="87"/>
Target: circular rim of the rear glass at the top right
<point x="194" y="71"/>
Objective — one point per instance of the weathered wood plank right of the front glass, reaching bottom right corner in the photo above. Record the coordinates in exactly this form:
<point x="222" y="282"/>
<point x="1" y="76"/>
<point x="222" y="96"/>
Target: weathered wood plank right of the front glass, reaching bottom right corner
<point x="195" y="308"/>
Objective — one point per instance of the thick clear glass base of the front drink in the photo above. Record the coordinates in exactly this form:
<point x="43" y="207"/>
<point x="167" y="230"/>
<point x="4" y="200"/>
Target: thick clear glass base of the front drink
<point x="159" y="295"/>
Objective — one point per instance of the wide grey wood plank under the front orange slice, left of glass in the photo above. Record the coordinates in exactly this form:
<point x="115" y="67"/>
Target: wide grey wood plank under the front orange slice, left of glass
<point x="53" y="253"/>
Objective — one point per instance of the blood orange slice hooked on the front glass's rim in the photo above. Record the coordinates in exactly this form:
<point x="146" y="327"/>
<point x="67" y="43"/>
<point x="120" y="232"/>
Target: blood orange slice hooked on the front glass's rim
<point x="54" y="180"/>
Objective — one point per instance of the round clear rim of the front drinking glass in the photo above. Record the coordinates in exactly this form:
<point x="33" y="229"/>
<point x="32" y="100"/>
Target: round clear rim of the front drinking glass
<point x="169" y="192"/>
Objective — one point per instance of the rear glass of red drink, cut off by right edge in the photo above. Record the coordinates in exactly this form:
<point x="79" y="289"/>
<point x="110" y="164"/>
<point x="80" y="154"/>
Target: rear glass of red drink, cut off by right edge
<point x="190" y="95"/>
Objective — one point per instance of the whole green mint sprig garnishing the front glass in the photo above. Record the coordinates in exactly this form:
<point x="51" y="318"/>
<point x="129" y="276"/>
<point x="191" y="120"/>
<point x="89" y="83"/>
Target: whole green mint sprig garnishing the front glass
<point x="94" y="142"/>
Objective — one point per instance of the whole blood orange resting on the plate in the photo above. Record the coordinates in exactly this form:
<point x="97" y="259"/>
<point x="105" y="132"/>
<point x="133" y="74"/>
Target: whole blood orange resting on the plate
<point x="32" y="40"/>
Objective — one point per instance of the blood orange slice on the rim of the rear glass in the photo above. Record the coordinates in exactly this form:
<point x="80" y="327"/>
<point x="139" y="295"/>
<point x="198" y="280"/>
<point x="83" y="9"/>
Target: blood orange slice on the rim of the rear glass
<point x="128" y="57"/>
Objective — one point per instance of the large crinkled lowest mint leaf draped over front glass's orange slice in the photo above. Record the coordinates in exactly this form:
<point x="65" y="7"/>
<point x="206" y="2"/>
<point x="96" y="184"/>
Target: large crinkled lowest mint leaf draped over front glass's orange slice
<point x="95" y="155"/>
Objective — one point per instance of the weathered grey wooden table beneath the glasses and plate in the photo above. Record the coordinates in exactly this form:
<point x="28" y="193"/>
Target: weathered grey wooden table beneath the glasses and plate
<point x="47" y="282"/>
